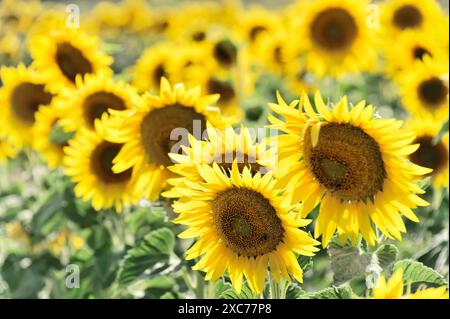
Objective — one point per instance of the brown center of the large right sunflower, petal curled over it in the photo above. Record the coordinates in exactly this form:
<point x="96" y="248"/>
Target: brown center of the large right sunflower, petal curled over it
<point x="346" y="161"/>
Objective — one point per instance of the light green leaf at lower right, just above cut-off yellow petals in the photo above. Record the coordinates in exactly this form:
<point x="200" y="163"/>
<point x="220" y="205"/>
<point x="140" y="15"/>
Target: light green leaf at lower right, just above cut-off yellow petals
<point x="415" y="272"/>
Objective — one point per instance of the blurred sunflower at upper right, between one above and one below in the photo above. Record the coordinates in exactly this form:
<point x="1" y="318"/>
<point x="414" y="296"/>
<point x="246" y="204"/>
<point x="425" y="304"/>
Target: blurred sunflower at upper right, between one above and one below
<point x="412" y="46"/>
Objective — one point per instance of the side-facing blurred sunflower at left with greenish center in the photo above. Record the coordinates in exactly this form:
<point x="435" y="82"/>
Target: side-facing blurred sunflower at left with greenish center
<point x="48" y="137"/>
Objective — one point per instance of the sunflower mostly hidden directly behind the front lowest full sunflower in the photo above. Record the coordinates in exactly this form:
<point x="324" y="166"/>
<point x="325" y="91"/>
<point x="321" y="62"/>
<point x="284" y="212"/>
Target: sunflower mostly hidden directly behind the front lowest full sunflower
<point x="223" y="148"/>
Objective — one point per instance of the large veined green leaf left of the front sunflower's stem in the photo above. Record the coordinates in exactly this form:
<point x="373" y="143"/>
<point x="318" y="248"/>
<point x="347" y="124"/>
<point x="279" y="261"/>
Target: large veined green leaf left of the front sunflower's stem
<point x="149" y="257"/>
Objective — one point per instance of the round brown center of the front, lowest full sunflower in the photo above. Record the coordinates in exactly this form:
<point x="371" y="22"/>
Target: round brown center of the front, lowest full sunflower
<point x="247" y="222"/>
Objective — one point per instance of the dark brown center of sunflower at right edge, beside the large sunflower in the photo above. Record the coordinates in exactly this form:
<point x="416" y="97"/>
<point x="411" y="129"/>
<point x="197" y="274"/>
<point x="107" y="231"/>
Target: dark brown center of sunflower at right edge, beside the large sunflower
<point x="434" y="156"/>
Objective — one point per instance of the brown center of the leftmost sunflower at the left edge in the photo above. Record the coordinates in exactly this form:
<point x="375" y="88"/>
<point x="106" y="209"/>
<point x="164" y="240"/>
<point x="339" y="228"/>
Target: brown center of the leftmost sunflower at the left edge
<point x="26" y="98"/>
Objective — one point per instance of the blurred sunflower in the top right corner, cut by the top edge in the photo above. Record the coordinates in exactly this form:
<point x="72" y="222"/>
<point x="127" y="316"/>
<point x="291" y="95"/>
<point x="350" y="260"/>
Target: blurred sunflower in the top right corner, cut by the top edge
<point x="400" y="15"/>
